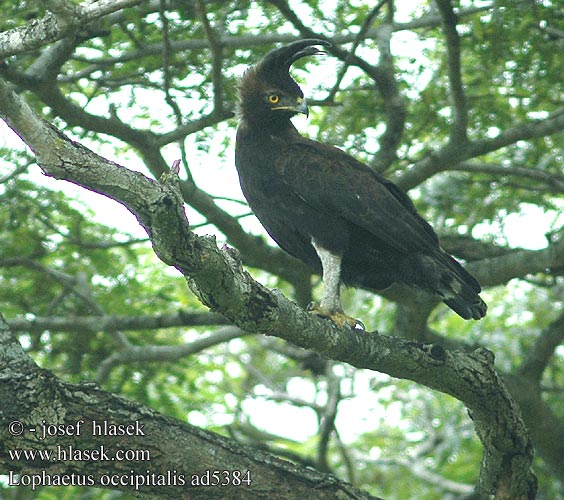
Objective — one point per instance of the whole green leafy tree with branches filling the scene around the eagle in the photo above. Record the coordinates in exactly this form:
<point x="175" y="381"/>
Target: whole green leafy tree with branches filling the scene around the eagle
<point x="142" y="289"/>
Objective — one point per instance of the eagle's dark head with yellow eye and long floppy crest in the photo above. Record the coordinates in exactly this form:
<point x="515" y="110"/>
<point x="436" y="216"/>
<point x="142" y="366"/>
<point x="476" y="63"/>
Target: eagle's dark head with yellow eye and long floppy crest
<point x="267" y="92"/>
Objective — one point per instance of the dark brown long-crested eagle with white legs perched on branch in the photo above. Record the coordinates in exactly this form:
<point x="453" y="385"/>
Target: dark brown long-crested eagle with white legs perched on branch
<point x="329" y="210"/>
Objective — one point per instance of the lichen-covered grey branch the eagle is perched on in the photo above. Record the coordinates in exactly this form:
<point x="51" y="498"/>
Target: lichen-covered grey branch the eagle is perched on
<point x="220" y="282"/>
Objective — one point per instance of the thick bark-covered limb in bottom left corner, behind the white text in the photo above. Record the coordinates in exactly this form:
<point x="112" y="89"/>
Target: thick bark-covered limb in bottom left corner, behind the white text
<point x="176" y="451"/>
